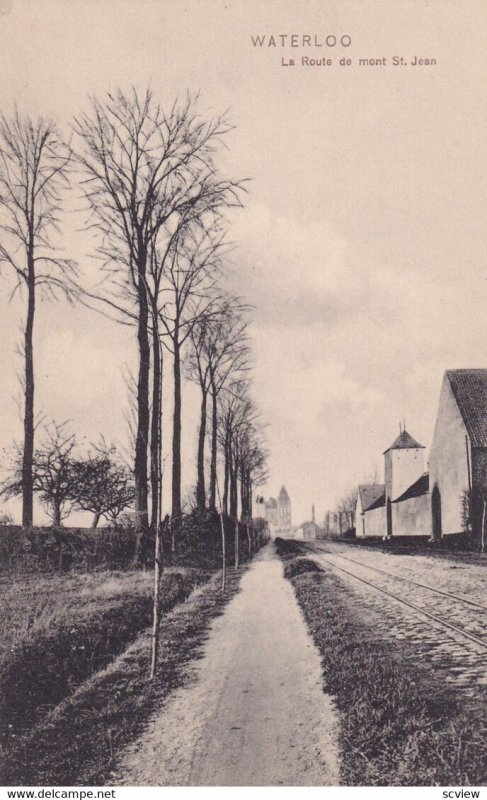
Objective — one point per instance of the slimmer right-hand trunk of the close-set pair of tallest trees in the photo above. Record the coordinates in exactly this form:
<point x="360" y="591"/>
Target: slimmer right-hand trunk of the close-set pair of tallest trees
<point x="156" y="426"/>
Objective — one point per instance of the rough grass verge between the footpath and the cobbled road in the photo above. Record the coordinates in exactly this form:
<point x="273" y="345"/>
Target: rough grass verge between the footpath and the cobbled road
<point x="399" y="726"/>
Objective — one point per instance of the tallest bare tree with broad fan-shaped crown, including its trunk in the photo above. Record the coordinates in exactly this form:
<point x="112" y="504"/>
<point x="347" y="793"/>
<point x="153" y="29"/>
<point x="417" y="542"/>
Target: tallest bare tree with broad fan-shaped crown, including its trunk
<point x="143" y="168"/>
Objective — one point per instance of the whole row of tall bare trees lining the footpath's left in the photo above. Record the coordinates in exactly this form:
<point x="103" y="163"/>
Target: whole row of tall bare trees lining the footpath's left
<point x="156" y="207"/>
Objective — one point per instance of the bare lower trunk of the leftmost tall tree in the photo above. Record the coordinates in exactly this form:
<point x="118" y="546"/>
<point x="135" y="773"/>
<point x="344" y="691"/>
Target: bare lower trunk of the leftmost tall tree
<point x="28" y="454"/>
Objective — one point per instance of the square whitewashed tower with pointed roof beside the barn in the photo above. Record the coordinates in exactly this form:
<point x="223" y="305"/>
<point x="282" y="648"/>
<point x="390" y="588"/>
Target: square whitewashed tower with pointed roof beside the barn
<point x="403" y="465"/>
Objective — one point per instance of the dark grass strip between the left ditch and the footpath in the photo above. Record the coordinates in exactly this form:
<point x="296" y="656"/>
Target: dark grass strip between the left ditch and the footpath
<point x="77" y="743"/>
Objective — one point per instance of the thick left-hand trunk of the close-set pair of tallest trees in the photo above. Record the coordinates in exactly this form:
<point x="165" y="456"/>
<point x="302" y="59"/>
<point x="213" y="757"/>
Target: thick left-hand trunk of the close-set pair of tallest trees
<point x="142" y="436"/>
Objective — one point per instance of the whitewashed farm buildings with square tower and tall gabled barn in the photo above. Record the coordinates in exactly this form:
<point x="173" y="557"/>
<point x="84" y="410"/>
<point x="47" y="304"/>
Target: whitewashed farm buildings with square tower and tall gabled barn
<point x="450" y="496"/>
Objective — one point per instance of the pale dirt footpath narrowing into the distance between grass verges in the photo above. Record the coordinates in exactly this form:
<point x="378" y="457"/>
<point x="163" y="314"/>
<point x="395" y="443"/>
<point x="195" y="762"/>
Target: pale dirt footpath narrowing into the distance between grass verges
<point x="255" y="713"/>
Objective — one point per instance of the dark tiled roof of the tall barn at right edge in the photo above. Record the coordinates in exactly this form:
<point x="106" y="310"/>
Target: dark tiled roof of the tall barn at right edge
<point x="469" y="387"/>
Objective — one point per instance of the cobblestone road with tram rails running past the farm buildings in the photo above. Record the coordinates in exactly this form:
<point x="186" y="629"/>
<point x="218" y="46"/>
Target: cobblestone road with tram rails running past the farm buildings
<point x="460" y="662"/>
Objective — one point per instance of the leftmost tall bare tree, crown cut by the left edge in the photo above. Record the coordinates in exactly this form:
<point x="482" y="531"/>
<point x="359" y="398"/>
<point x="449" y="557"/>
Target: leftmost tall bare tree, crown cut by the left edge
<point x="34" y="165"/>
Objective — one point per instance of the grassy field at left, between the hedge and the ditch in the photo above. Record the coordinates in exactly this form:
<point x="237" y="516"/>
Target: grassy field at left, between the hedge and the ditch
<point x="58" y="631"/>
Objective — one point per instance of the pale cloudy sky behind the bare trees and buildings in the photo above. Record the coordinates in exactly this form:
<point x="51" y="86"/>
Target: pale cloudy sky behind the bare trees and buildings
<point x="361" y="242"/>
